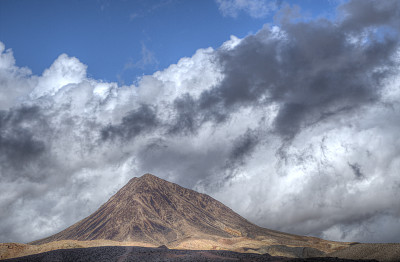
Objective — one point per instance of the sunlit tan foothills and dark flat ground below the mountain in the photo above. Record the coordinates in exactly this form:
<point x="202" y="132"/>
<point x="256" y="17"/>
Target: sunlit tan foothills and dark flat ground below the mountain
<point x="359" y="252"/>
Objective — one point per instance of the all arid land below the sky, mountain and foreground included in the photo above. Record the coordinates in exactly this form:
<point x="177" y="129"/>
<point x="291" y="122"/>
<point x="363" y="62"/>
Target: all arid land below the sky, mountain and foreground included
<point x="151" y="212"/>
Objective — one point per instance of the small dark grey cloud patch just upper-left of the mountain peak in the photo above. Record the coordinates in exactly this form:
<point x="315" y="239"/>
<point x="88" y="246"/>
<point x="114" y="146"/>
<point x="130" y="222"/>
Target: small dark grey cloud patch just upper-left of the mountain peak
<point x="133" y="124"/>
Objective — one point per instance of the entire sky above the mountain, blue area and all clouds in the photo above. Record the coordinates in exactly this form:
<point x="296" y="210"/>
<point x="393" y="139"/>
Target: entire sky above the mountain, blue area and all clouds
<point x="286" y="111"/>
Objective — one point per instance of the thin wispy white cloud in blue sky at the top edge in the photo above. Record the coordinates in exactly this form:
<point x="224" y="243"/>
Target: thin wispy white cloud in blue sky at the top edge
<point x="254" y="8"/>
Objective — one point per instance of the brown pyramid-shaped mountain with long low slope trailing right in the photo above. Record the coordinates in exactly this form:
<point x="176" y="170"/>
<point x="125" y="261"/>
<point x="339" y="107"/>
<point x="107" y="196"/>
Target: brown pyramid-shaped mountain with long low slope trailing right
<point x="154" y="211"/>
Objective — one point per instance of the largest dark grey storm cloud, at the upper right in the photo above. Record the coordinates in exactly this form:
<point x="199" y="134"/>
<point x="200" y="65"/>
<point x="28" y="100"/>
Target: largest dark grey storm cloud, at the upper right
<point x="312" y="71"/>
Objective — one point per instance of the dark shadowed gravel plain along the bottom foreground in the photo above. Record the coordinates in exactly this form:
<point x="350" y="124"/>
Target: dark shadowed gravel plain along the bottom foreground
<point x="125" y="254"/>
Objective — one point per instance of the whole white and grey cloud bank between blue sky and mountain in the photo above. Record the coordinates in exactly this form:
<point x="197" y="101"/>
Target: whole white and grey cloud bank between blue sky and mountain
<point x="295" y="127"/>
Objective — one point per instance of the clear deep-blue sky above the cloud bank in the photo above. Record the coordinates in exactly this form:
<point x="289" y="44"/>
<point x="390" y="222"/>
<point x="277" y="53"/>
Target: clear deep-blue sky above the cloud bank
<point x="121" y="40"/>
